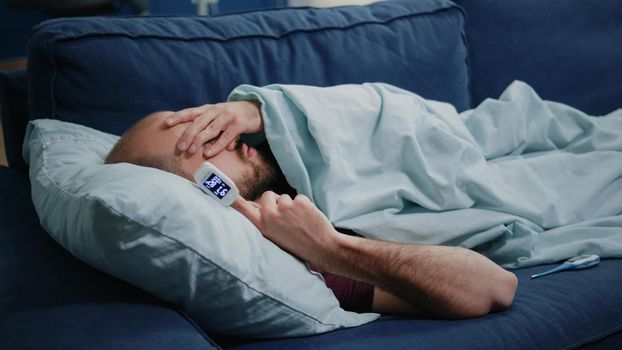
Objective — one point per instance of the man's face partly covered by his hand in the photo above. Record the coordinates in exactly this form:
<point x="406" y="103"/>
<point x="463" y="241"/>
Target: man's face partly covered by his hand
<point x="252" y="171"/>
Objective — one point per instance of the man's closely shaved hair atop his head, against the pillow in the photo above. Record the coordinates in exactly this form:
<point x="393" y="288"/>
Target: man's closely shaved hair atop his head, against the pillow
<point x="124" y="152"/>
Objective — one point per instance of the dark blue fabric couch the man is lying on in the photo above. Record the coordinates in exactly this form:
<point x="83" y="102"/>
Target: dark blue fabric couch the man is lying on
<point x="107" y="72"/>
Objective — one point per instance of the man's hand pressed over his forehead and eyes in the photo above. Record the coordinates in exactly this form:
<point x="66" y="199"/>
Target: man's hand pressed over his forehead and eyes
<point x="215" y="127"/>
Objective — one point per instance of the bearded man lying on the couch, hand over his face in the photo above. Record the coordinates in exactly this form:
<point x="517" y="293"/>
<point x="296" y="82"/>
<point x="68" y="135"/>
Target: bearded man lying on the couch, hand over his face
<point x="428" y="281"/>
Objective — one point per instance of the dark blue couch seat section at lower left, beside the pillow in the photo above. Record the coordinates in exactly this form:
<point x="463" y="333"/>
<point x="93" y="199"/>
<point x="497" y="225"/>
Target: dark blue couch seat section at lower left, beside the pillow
<point x="51" y="300"/>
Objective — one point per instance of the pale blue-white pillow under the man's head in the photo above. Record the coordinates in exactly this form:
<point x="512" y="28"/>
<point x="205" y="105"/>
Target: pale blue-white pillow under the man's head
<point x="157" y="231"/>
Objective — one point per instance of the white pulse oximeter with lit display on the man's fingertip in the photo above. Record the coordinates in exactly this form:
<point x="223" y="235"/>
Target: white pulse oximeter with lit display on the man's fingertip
<point x="216" y="184"/>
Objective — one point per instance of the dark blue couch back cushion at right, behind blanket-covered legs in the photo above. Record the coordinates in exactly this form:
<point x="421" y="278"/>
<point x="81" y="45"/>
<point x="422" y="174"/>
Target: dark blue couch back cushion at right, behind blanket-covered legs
<point x="568" y="50"/>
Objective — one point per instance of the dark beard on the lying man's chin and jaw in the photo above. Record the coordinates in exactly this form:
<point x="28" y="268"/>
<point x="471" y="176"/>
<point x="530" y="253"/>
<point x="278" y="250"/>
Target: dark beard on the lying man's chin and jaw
<point x="265" y="174"/>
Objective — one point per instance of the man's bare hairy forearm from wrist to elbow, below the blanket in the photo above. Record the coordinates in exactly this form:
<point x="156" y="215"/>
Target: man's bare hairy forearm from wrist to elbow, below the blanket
<point x="440" y="281"/>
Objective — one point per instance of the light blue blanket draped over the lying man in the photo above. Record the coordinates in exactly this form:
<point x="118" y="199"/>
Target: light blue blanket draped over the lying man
<point x="521" y="180"/>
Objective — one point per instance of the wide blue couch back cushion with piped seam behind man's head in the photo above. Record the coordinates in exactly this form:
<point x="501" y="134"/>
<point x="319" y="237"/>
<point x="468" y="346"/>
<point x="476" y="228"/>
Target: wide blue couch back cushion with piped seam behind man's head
<point x="107" y="72"/>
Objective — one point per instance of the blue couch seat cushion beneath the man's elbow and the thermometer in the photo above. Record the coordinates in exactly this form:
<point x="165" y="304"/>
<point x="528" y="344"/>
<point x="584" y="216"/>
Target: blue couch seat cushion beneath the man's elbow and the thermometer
<point x="561" y="311"/>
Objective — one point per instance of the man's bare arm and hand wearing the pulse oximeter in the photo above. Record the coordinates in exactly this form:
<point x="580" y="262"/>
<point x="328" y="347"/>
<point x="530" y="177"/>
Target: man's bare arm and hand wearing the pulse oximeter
<point x="436" y="281"/>
